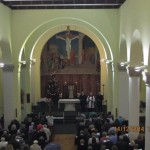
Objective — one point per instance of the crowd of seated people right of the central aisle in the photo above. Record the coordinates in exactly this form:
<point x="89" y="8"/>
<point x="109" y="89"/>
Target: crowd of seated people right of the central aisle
<point x="100" y="132"/>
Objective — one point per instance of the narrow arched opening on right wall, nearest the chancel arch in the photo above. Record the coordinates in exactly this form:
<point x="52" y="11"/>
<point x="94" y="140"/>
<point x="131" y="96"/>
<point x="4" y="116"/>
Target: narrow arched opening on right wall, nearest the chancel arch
<point x="123" y="50"/>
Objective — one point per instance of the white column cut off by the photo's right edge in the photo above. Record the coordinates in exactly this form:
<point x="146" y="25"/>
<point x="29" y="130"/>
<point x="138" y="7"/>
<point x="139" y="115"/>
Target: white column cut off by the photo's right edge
<point x="147" y="118"/>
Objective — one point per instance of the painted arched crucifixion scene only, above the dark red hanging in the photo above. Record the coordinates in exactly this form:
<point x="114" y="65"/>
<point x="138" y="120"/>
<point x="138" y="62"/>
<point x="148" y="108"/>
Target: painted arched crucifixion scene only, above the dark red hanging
<point x="69" y="49"/>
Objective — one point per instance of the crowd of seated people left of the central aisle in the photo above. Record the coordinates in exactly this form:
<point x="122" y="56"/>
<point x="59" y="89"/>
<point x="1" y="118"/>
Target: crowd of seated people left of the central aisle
<point x="36" y="132"/>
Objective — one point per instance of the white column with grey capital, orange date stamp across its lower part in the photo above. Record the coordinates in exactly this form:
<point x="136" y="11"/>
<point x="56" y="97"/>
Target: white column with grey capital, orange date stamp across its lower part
<point x="134" y="101"/>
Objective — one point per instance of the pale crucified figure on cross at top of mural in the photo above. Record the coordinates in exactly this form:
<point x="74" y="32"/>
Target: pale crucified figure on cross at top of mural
<point x="68" y="37"/>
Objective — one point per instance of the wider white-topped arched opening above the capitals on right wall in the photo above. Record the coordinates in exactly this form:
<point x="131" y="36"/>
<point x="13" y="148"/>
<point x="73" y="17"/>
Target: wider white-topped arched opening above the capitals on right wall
<point x="136" y="51"/>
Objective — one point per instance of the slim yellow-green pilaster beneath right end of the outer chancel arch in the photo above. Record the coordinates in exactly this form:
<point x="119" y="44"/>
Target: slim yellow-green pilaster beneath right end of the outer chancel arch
<point x="109" y="86"/>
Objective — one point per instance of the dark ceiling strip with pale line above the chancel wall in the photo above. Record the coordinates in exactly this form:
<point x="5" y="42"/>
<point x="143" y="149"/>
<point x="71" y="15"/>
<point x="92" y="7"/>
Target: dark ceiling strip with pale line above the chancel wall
<point x="63" y="4"/>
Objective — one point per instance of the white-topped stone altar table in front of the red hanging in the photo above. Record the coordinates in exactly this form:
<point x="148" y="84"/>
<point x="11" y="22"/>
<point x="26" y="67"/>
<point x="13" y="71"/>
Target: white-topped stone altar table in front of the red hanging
<point x="69" y="104"/>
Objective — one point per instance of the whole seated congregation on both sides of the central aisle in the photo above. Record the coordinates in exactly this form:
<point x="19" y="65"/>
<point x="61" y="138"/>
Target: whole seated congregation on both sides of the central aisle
<point x="94" y="131"/>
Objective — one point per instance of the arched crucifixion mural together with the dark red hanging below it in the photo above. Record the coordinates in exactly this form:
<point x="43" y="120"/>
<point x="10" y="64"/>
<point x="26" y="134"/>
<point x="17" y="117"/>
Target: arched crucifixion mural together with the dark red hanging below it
<point x="74" y="59"/>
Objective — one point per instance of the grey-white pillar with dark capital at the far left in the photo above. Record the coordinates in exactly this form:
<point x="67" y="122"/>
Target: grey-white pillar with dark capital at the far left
<point x="10" y="110"/>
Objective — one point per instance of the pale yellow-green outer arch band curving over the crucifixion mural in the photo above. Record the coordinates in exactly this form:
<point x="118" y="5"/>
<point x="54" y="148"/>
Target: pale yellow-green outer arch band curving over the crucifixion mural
<point x="54" y="27"/>
